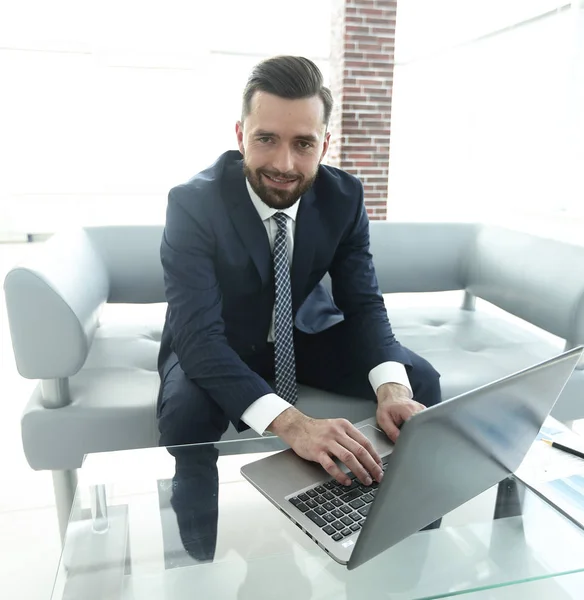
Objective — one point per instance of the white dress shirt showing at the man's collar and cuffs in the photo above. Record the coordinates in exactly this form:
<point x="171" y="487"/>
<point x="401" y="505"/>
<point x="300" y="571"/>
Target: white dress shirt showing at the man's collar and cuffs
<point x="265" y="409"/>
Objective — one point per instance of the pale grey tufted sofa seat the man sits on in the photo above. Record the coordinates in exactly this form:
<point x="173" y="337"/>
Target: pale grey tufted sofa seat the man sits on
<point x="116" y="391"/>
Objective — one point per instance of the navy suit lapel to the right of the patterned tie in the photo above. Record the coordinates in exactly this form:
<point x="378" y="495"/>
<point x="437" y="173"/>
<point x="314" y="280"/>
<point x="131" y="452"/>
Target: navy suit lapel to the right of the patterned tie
<point x="305" y="237"/>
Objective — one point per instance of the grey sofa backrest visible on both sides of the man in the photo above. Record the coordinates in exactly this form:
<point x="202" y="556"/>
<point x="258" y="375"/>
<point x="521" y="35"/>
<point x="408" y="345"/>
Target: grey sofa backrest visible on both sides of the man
<point x="408" y="257"/>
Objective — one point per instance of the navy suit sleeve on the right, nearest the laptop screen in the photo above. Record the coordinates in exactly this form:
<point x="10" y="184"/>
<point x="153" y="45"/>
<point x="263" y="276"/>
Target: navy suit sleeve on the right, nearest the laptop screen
<point x="356" y="292"/>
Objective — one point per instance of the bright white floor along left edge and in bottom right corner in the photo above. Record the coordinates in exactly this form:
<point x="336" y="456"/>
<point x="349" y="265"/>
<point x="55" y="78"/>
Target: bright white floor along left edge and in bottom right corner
<point x="29" y="540"/>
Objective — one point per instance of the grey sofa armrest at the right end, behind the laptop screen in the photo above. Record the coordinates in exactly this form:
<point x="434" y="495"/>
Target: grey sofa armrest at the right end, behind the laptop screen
<point x="536" y="279"/>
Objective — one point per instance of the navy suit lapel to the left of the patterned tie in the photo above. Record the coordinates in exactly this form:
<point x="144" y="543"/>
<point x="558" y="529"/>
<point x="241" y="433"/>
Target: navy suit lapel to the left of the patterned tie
<point x="246" y="220"/>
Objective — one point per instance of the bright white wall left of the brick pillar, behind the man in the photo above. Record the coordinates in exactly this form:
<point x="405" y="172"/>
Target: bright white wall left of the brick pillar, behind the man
<point x="102" y="111"/>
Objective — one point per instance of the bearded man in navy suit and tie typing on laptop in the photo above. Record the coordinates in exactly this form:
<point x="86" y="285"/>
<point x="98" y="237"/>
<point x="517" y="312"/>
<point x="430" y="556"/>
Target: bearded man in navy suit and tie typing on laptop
<point x="245" y="246"/>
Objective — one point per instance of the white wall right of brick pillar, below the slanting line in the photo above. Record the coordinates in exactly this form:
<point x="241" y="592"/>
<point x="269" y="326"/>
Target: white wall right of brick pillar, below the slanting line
<point x="492" y="128"/>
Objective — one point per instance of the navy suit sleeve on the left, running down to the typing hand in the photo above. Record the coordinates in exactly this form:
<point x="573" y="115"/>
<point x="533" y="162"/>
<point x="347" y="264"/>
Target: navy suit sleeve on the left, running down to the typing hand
<point x="195" y="310"/>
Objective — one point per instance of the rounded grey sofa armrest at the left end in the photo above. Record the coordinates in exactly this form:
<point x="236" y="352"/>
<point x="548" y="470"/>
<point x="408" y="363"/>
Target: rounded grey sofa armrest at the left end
<point x="53" y="306"/>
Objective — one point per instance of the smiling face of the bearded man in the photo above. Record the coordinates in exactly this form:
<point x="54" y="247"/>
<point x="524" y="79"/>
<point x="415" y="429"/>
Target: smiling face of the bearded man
<point x="282" y="142"/>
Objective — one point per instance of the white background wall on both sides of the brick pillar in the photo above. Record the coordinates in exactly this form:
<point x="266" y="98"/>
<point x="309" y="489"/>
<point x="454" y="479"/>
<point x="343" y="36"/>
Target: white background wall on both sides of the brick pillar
<point x="101" y="112"/>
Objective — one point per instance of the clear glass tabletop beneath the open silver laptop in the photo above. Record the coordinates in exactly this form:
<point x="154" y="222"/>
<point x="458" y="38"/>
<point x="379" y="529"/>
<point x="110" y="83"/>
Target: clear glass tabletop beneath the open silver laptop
<point x="181" y="522"/>
